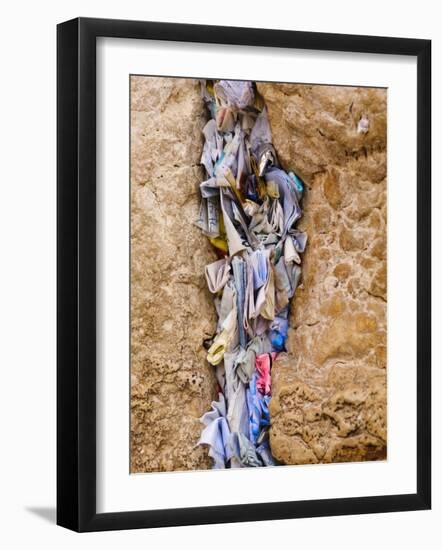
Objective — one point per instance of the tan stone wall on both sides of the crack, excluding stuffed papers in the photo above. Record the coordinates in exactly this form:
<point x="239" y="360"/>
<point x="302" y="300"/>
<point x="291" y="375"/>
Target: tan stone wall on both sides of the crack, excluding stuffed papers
<point x="329" y="391"/>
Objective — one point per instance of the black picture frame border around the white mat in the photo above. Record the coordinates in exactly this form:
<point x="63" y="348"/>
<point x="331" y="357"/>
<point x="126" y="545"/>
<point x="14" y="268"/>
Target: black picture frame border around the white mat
<point x="76" y="274"/>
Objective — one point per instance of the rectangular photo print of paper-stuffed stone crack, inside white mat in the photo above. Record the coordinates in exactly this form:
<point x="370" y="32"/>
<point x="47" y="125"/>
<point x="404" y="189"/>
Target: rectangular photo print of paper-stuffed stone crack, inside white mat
<point x="258" y="278"/>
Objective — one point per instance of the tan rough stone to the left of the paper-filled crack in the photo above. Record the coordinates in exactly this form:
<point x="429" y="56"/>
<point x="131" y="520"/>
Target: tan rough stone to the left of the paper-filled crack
<point x="172" y="312"/>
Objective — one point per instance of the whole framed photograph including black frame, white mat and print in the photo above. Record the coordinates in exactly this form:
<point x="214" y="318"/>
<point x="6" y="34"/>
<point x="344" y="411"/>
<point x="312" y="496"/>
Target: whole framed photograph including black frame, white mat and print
<point x="243" y="274"/>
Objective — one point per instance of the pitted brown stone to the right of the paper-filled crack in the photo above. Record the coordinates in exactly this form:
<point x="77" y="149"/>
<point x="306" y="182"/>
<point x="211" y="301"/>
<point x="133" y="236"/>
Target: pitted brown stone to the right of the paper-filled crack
<point x="329" y="391"/>
